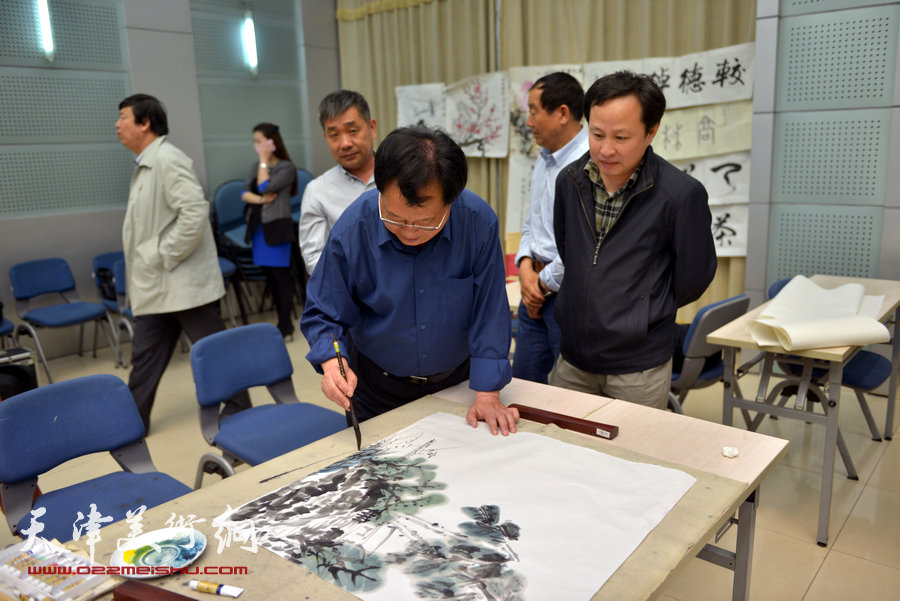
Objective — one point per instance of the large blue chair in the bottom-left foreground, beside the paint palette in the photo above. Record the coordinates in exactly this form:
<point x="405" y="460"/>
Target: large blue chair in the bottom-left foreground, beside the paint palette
<point x="45" y="427"/>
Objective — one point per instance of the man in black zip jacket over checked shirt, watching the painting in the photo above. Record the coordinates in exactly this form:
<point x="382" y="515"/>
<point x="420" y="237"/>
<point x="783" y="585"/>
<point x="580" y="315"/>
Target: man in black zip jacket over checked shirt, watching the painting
<point x="634" y="235"/>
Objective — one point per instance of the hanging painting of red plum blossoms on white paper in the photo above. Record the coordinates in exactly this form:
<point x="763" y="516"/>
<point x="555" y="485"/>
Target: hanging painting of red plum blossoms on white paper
<point x="477" y="117"/>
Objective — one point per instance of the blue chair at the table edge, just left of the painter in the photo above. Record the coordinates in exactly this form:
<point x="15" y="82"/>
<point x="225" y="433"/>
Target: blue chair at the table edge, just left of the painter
<point x="232" y="361"/>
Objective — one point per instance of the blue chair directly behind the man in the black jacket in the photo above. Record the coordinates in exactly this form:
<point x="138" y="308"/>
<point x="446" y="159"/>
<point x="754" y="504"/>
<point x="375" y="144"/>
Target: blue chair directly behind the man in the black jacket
<point x="696" y="349"/>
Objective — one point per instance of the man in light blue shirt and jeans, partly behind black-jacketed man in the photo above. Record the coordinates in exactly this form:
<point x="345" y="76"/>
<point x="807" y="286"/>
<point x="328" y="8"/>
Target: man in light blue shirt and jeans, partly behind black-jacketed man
<point x="555" y="105"/>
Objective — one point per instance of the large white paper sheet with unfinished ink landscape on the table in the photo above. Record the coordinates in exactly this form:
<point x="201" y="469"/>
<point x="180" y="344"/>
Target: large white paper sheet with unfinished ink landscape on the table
<point x="442" y="510"/>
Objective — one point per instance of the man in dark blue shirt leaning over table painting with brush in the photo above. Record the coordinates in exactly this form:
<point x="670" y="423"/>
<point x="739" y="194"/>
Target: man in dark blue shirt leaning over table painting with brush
<point x="413" y="273"/>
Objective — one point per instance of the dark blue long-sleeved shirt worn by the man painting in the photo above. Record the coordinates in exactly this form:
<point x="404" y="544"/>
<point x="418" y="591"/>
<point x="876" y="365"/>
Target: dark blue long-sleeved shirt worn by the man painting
<point x="414" y="312"/>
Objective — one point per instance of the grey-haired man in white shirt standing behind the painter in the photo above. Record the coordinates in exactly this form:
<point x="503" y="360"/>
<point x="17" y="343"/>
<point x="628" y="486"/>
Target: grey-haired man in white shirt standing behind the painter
<point x="350" y="133"/>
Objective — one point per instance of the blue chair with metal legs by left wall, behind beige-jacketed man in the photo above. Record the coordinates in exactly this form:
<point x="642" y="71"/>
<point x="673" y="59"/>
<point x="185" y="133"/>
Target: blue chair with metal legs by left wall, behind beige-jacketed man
<point x="53" y="276"/>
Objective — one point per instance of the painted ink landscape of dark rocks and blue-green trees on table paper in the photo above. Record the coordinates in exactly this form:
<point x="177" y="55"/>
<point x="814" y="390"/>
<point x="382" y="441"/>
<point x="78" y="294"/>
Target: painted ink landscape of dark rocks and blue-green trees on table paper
<point x="357" y="519"/>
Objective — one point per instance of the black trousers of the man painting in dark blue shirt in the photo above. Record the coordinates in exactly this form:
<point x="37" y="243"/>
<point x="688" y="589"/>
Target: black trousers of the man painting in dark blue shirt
<point x="377" y="392"/>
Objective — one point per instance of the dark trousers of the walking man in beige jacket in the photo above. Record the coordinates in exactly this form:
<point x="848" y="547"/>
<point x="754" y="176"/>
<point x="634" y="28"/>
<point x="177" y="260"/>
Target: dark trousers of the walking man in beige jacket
<point x="155" y="337"/>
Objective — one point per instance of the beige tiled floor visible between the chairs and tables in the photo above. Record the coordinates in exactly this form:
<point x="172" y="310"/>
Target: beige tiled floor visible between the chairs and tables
<point x="862" y="560"/>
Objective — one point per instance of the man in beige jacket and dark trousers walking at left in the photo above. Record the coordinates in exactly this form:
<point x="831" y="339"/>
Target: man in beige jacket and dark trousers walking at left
<point x="174" y="280"/>
